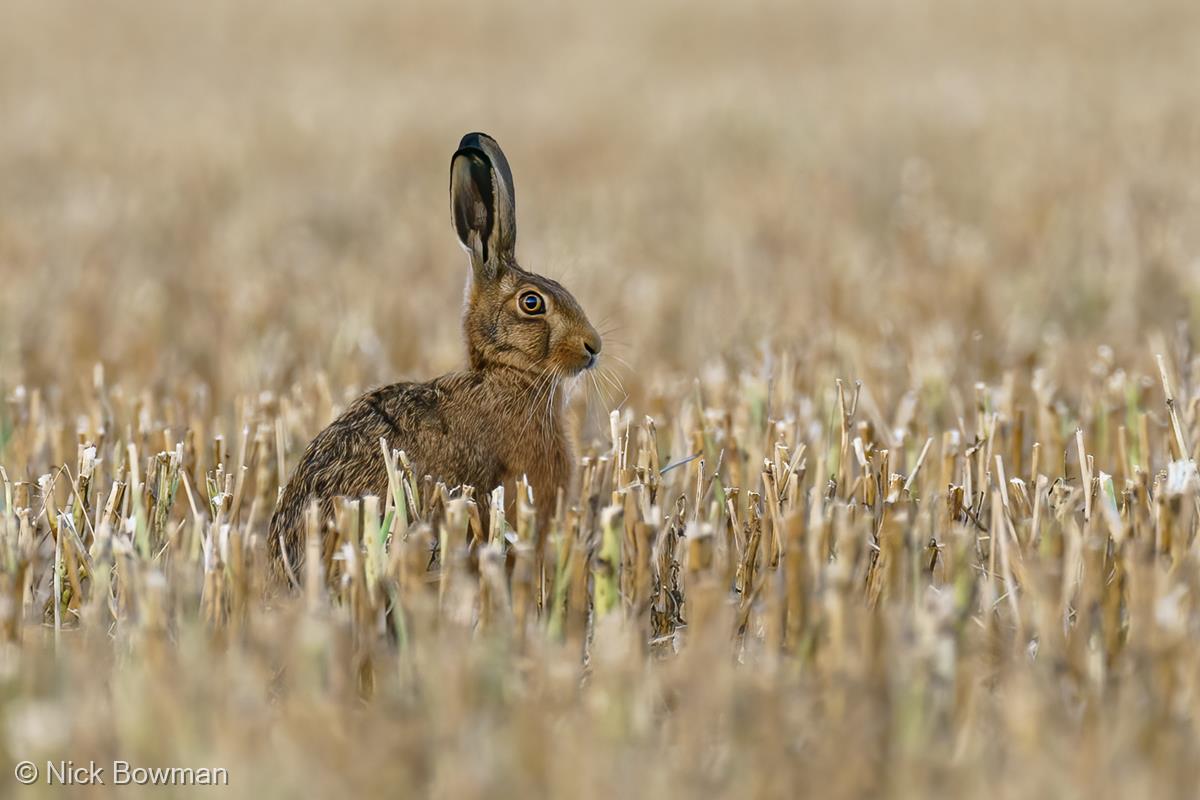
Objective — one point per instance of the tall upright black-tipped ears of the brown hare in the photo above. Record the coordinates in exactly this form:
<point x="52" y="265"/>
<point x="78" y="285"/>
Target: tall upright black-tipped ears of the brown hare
<point x="484" y="204"/>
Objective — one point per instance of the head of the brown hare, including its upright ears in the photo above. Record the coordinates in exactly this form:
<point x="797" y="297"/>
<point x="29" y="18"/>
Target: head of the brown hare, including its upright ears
<point x="514" y="318"/>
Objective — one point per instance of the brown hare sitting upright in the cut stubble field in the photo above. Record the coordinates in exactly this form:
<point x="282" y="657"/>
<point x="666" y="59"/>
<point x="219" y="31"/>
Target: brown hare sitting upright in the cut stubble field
<point x="490" y="425"/>
